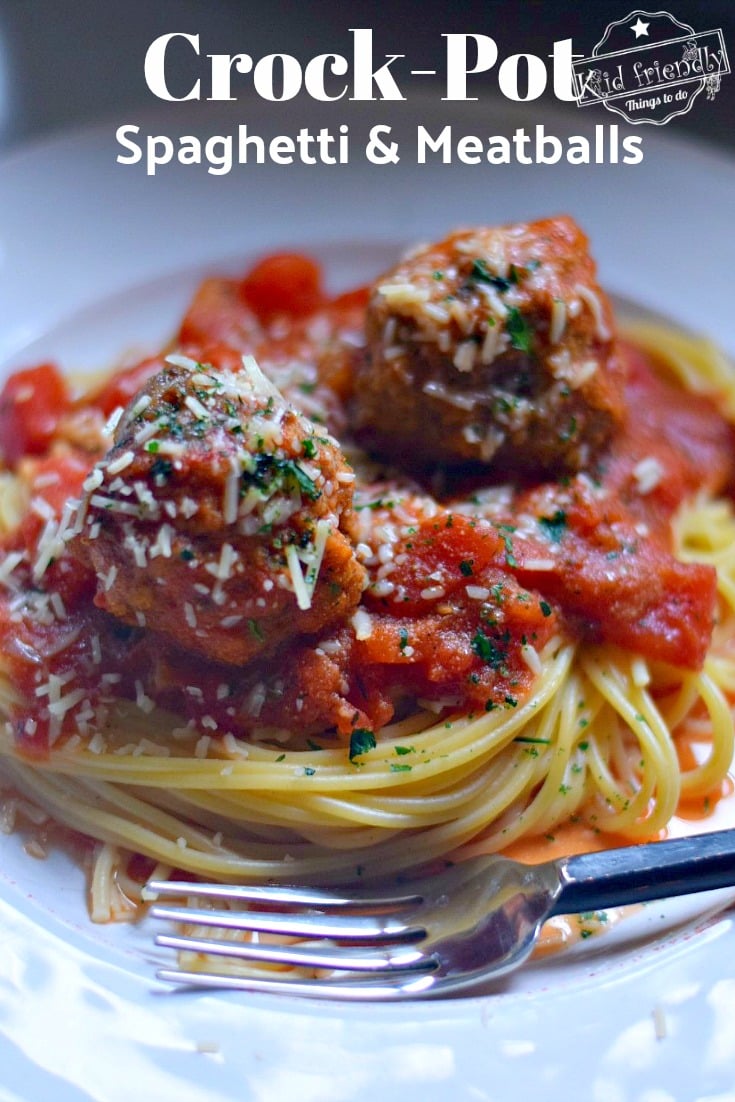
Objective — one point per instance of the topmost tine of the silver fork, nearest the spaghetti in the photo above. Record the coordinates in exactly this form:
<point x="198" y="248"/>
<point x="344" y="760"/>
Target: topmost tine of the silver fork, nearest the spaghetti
<point x="284" y="896"/>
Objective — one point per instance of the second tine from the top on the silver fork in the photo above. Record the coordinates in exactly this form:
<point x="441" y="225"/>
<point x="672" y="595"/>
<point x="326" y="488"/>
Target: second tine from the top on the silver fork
<point x="309" y="925"/>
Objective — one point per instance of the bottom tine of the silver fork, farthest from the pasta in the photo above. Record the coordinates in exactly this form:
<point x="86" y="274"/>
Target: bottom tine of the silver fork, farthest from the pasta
<point x="370" y="990"/>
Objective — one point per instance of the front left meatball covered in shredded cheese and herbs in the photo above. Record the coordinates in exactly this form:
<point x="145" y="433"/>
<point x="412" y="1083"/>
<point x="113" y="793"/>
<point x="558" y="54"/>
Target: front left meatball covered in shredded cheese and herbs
<point x="221" y="517"/>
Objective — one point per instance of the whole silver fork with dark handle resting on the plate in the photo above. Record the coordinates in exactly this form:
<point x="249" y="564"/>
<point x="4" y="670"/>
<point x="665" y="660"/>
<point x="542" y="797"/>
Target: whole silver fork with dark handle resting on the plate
<point x="445" y="934"/>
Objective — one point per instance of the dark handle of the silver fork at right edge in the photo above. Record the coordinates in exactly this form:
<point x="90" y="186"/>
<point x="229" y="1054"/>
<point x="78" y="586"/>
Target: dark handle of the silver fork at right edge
<point x="642" y="873"/>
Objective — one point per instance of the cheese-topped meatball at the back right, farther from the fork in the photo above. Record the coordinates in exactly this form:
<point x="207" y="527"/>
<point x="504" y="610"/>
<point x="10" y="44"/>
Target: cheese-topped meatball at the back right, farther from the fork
<point x="494" y="347"/>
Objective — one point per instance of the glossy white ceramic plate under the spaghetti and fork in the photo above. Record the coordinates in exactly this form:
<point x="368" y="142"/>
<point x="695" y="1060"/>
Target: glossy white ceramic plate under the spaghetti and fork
<point x="95" y="257"/>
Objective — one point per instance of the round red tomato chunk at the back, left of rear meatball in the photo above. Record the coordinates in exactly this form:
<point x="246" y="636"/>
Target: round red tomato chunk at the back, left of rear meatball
<point x="285" y="284"/>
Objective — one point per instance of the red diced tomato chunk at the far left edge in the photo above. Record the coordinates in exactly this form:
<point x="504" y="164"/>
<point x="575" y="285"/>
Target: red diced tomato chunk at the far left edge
<point x="33" y="404"/>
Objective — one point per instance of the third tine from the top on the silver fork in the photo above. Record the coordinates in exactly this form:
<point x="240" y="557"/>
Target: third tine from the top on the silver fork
<point x="348" y="959"/>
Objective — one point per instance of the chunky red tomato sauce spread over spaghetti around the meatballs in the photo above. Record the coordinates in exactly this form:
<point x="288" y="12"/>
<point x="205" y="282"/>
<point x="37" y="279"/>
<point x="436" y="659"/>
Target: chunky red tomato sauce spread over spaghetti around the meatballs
<point x="473" y="603"/>
